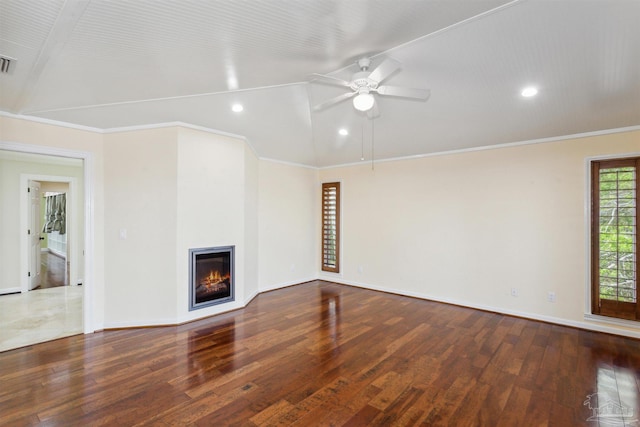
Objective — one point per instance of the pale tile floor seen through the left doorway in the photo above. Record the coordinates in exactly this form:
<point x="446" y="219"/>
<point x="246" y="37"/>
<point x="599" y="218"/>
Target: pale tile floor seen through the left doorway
<point x="40" y="315"/>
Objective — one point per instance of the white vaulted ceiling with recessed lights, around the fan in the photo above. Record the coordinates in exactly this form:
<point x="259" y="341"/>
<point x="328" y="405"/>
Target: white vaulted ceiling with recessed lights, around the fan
<point x="111" y="64"/>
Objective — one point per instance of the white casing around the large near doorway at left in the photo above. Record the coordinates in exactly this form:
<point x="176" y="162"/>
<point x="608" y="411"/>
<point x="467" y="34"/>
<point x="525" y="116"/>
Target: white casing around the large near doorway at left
<point x="88" y="305"/>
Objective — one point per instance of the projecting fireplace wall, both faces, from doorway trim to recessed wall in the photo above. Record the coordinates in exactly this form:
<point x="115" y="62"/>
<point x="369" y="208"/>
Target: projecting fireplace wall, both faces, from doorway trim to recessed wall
<point x="171" y="190"/>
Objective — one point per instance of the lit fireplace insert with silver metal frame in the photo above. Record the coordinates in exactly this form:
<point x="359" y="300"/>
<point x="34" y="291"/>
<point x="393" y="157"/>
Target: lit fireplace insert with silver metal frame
<point x="211" y="276"/>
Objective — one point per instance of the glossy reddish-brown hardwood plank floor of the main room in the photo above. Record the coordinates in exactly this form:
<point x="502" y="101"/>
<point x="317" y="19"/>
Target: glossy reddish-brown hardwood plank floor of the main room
<point x="328" y="355"/>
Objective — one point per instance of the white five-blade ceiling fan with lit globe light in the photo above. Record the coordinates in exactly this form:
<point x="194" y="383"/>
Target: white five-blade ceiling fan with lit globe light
<point x="364" y="84"/>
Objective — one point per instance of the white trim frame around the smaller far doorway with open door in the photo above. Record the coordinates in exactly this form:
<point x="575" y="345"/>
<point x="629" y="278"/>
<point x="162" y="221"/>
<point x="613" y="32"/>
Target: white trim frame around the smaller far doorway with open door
<point x="72" y="248"/>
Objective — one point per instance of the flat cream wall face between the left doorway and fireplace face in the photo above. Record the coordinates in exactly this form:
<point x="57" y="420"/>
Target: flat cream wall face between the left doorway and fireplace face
<point x="141" y="202"/>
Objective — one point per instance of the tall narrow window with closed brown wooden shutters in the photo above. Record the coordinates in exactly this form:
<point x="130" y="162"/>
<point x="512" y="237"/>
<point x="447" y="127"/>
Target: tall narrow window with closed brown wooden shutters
<point x="331" y="227"/>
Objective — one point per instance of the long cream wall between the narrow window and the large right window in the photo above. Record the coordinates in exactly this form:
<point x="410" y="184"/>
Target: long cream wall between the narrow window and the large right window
<point x="467" y="228"/>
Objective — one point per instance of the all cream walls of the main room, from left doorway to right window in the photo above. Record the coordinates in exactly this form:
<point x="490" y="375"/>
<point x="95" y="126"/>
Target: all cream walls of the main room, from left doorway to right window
<point x="462" y="228"/>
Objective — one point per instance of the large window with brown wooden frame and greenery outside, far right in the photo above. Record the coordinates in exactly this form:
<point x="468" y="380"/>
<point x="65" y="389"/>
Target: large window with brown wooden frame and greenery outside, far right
<point x="614" y="238"/>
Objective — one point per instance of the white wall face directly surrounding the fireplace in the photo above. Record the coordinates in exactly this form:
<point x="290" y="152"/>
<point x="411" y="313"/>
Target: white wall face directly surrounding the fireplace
<point x="215" y="195"/>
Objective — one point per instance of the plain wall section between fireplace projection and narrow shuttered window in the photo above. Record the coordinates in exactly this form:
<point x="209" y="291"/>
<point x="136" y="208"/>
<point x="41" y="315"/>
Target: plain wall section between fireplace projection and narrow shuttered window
<point x="289" y="224"/>
